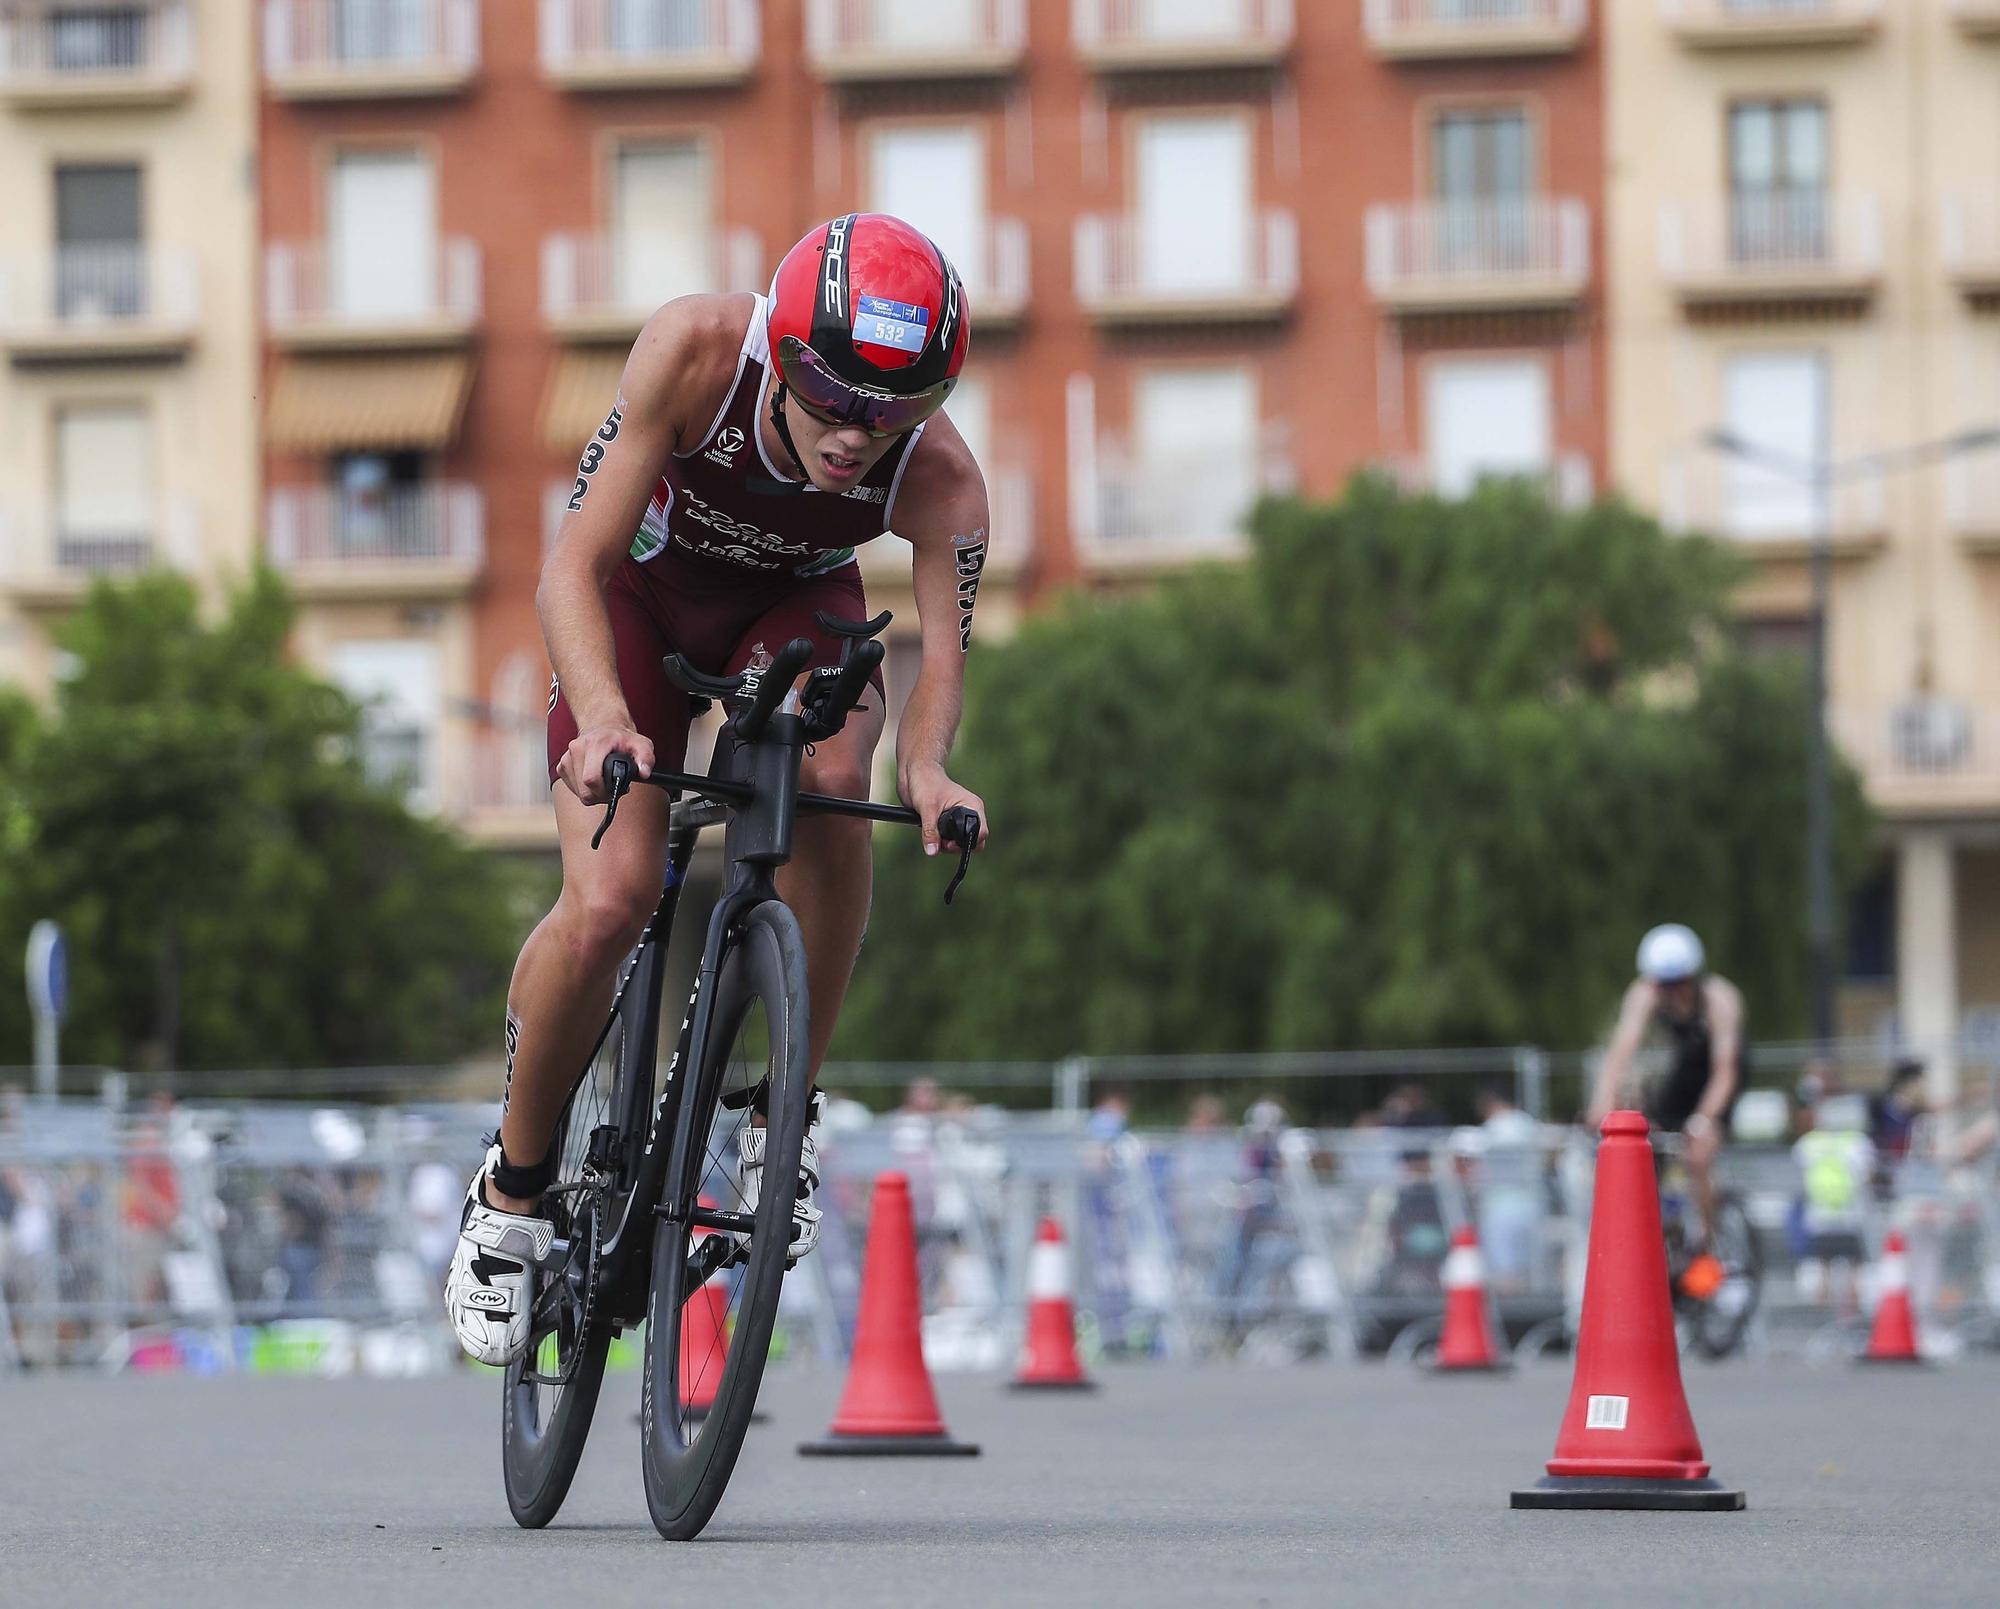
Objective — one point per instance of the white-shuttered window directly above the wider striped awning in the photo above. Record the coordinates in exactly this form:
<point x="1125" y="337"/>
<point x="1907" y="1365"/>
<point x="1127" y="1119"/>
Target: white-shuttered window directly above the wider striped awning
<point x="383" y="225"/>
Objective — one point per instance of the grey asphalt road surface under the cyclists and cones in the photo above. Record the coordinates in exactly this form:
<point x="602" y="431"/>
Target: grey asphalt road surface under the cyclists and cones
<point x="1359" y="1484"/>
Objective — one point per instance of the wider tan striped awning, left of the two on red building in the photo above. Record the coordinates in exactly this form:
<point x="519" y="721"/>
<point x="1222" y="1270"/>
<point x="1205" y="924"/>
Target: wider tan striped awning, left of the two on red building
<point x="357" y="403"/>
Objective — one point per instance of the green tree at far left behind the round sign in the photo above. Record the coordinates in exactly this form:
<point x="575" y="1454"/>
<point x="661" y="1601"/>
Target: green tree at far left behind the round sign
<point x="235" y="890"/>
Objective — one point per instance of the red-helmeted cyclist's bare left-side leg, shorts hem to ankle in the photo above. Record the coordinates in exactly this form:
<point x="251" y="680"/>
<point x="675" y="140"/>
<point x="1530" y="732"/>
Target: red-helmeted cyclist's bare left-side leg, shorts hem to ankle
<point x="569" y="968"/>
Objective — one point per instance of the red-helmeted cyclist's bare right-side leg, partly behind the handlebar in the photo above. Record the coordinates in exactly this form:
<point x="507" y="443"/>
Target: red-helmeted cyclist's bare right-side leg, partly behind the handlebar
<point x="831" y="878"/>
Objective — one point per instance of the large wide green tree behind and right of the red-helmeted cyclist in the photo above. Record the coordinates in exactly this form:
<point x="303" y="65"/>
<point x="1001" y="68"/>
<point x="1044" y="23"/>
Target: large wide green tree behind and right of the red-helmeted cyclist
<point x="1415" y="773"/>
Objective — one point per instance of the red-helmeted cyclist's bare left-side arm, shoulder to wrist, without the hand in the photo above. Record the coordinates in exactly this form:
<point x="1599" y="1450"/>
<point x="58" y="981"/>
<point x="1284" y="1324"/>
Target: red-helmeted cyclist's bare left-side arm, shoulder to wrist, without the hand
<point x="615" y="479"/>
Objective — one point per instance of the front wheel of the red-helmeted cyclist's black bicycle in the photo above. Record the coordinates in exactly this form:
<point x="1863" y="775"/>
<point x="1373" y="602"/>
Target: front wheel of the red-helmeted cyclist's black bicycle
<point x="689" y="1460"/>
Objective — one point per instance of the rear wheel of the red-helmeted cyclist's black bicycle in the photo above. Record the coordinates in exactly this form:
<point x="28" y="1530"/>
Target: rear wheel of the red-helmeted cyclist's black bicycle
<point x="553" y="1390"/>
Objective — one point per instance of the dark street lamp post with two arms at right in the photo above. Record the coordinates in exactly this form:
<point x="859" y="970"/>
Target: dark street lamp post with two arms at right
<point x="1821" y="475"/>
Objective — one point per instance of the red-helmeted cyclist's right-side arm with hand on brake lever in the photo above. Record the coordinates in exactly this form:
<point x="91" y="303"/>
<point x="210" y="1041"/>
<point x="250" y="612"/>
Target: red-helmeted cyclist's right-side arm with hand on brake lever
<point x="941" y="511"/>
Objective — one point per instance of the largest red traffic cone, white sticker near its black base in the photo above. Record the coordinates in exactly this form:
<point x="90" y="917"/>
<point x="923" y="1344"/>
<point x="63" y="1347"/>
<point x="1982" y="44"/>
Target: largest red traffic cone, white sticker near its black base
<point x="1627" y="1440"/>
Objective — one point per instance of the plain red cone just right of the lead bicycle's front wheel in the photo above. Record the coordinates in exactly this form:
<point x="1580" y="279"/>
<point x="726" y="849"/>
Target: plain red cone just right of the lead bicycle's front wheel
<point x="889" y="1406"/>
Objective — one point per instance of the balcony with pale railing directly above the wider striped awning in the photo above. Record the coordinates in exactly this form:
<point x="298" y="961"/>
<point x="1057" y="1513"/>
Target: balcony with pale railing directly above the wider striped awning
<point x="315" y="303"/>
